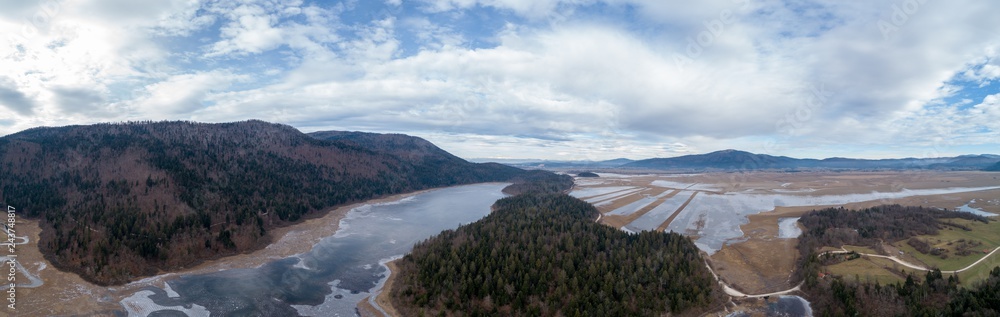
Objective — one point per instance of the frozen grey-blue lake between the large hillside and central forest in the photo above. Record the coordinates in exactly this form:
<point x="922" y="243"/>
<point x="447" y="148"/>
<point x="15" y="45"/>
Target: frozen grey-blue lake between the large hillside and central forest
<point x="337" y="273"/>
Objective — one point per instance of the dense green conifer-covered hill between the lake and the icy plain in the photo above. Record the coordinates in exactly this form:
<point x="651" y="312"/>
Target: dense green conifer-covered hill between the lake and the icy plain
<point x="543" y="255"/>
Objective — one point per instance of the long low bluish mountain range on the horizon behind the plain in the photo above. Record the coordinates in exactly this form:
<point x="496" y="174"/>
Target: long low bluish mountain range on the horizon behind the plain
<point x="740" y="160"/>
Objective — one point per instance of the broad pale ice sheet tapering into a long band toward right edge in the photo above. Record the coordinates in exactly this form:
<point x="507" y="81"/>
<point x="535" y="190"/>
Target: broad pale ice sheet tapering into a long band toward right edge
<point x="723" y="214"/>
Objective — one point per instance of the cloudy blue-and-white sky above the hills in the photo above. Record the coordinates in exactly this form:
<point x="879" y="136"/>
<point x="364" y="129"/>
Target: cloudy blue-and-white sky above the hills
<point x="515" y="79"/>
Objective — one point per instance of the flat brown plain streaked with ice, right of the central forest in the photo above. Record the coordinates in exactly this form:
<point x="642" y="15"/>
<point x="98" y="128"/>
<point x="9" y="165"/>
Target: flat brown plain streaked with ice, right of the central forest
<point x="747" y="222"/>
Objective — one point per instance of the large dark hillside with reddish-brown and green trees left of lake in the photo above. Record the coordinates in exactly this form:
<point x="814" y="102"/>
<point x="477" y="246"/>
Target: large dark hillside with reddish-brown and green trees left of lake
<point x="119" y="201"/>
